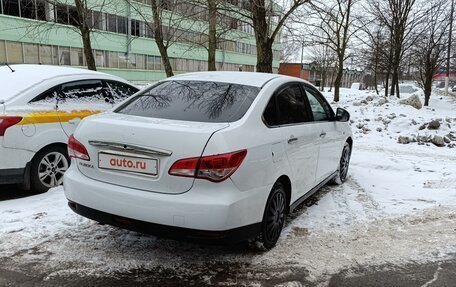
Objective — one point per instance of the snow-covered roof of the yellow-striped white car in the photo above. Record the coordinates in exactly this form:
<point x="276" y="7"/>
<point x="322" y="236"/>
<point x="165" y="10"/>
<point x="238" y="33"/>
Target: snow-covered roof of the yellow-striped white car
<point x="25" y="76"/>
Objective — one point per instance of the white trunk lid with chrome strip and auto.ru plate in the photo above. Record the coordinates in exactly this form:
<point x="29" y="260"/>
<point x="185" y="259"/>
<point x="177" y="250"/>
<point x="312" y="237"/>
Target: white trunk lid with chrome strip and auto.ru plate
<point x="137" y="152"/>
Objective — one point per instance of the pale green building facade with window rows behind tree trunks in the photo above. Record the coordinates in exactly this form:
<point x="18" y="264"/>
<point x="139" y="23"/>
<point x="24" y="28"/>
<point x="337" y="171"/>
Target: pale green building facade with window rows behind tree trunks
<point x="45" y="32"/>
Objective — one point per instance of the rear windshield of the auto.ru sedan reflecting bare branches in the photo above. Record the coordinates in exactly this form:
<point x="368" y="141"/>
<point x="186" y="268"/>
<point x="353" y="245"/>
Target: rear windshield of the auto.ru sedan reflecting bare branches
<point x="198" y="101"/>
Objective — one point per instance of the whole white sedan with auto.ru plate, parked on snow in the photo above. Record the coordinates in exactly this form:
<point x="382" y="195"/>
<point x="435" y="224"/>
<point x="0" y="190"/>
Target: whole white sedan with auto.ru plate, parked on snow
<point x="218" y="155"/>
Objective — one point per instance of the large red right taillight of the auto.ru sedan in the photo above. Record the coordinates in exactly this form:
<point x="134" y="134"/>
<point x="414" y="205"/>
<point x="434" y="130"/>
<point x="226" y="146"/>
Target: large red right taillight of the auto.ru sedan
<point x="215" y="168"/>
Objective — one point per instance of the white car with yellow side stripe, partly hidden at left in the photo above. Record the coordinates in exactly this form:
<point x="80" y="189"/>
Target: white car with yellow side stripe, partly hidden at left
<point x="40" y="107"/>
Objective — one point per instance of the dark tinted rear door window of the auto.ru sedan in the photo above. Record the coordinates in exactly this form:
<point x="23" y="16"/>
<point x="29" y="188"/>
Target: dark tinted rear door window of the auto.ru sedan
<point x="286" y="107"/>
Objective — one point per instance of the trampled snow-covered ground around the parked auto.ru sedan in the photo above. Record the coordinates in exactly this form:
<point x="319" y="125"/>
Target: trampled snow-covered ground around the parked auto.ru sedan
<point x="397" y="206"/>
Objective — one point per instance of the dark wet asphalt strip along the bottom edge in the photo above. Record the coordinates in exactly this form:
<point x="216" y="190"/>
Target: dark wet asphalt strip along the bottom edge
<point x="424" y="275"/>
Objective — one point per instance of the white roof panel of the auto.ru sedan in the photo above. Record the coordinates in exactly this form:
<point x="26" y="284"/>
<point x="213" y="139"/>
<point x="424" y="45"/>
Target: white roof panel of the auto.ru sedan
<point x="241" y="78"/>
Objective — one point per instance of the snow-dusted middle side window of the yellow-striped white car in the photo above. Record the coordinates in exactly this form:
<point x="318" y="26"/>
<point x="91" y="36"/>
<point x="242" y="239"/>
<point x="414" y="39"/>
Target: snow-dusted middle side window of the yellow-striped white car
<point x="88" y="91"/>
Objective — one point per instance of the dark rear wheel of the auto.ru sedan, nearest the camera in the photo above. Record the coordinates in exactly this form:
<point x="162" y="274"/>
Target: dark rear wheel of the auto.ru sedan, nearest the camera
<point x="273" y="219"/>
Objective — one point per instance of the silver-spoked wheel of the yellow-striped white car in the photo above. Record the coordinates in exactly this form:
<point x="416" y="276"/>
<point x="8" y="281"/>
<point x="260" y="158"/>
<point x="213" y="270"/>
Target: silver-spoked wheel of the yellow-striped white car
<point x="48" y="167"/>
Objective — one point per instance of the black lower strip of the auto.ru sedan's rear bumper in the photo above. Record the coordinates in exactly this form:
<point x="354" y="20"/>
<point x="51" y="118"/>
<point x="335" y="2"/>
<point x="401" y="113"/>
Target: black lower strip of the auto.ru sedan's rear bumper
<point x="220" y="237"/>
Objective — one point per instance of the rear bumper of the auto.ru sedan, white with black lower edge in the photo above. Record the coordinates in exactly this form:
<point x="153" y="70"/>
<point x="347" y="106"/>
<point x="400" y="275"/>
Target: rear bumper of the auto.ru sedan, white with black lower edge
<point x="216" y="208"/>
